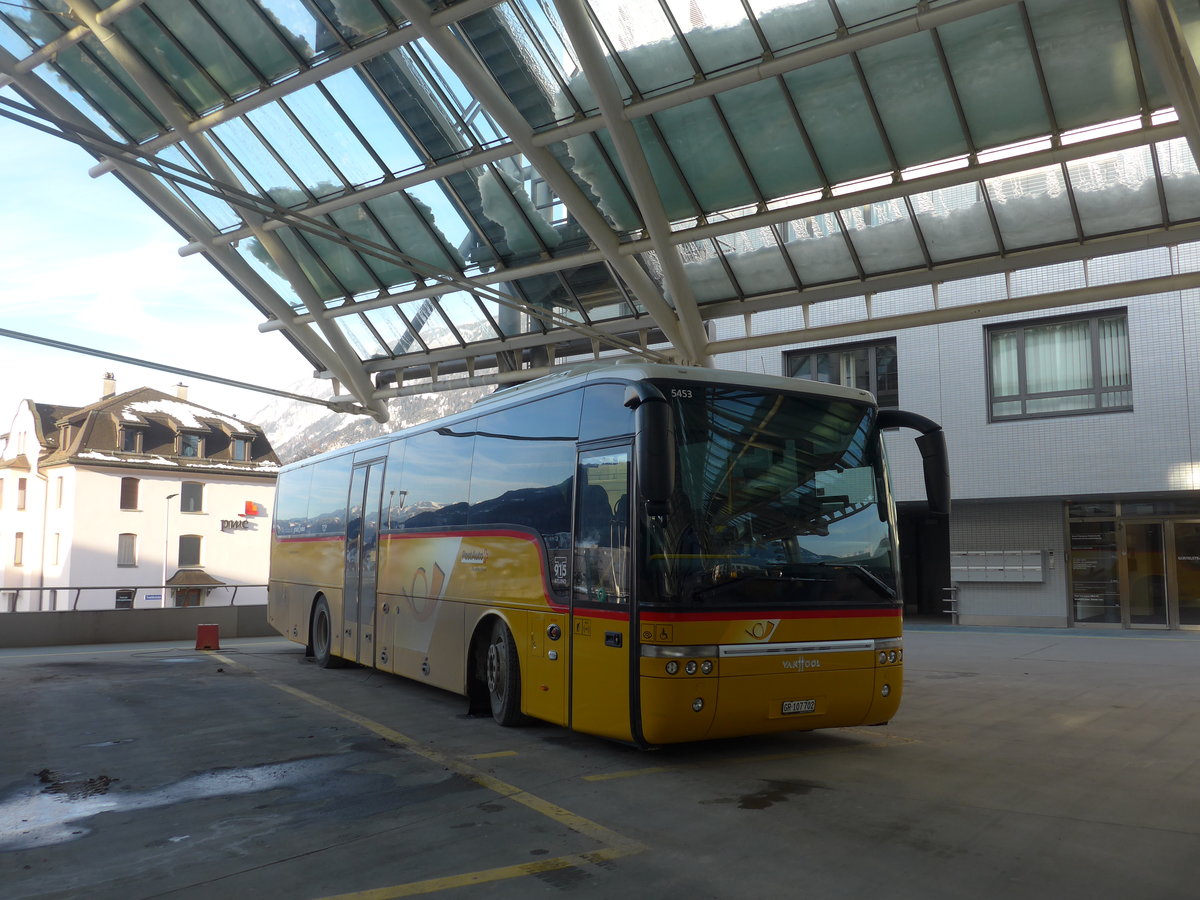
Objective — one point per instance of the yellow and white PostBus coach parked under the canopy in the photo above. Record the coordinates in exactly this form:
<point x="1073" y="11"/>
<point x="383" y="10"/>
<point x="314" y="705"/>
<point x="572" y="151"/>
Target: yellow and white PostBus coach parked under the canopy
<point x="645" y="553"/>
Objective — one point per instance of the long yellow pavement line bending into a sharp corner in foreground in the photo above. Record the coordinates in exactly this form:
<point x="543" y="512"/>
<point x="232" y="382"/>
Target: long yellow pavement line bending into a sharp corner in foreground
<point x="615" y="845"/>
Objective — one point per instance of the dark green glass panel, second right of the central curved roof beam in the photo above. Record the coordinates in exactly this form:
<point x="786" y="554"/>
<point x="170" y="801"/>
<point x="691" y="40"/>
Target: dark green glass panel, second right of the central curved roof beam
<point x="706" y="158"/>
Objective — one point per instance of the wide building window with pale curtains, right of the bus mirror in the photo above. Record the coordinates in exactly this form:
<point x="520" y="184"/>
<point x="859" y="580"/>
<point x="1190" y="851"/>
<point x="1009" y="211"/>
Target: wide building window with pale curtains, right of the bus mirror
<point x="1060" y="368"/>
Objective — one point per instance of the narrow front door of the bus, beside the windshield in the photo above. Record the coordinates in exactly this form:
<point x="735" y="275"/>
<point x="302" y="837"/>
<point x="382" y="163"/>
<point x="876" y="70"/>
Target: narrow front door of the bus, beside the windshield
<point x="601" y="598"/>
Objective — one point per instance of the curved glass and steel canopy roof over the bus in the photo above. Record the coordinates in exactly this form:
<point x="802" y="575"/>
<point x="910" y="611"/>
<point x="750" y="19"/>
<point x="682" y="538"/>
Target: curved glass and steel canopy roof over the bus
<point x="437" y="195"/>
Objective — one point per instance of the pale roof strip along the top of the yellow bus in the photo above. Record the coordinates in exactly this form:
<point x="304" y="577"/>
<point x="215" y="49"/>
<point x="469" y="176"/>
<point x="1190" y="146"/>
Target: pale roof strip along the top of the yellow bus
<point x="608" y="371"/>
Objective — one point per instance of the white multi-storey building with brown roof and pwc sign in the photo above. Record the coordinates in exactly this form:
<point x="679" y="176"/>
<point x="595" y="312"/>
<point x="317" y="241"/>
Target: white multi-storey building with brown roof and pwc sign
<point x="139" y="501"/>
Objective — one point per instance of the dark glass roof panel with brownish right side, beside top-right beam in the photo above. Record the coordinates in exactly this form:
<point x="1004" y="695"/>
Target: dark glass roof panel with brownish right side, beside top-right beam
<point x="1085" y="58"/>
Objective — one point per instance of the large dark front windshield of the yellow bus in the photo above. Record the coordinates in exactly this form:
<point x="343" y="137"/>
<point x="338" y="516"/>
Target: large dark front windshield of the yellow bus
<point x="781" y="501"/>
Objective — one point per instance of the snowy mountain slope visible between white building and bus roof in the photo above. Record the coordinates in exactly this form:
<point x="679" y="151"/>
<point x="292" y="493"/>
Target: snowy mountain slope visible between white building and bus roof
<point x="298" y="431"/>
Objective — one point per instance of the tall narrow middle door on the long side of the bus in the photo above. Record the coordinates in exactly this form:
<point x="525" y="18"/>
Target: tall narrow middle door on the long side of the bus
<point x="362" y="561"/>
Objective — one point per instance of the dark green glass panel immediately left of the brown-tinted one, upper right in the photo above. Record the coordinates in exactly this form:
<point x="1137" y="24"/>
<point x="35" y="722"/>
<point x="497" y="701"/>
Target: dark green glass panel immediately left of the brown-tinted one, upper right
<point x="995" y="77"/>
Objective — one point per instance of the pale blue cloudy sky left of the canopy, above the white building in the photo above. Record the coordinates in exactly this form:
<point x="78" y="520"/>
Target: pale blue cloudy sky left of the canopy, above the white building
<point x="85" y="261"/>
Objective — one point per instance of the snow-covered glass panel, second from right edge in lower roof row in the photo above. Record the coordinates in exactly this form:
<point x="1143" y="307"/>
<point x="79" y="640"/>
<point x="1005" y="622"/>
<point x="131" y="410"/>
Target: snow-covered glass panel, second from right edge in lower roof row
<point x="1118" y="193"/>
